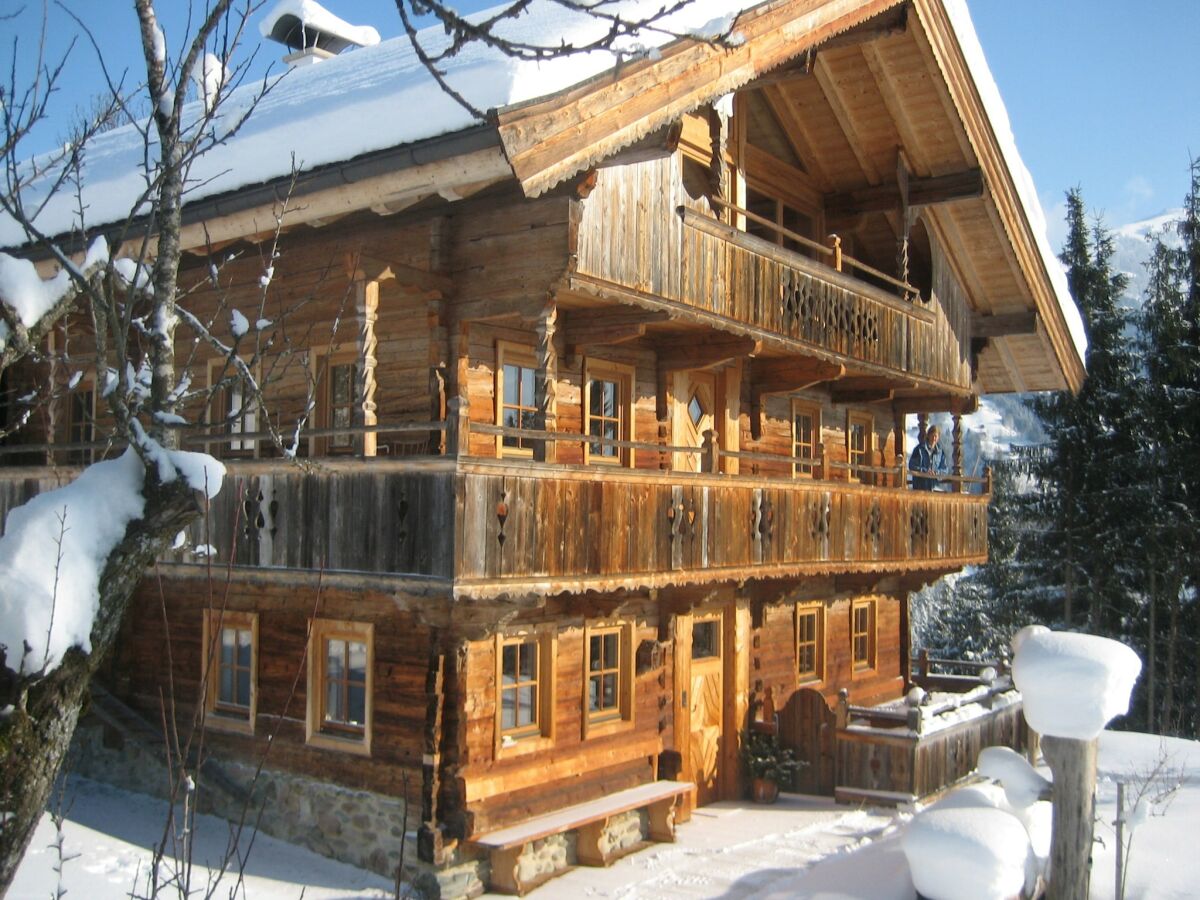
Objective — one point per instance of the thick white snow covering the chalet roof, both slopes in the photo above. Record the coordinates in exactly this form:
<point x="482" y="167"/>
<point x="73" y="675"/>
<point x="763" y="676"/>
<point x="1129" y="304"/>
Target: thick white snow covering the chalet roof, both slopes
<point x="381" y="97"/>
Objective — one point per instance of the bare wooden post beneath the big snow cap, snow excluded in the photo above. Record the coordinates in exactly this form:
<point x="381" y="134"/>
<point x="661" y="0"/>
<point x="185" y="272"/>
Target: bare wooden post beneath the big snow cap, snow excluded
<point x="1073" y="764"/>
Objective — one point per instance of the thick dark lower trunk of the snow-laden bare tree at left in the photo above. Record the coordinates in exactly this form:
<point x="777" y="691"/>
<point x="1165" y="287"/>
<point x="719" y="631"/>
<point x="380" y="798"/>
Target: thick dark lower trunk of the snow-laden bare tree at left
<point x="35" y="736"/>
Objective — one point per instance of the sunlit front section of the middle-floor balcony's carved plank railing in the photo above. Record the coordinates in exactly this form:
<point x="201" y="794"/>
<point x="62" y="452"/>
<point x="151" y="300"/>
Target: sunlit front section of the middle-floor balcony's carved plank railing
<point x="529" y="521"/>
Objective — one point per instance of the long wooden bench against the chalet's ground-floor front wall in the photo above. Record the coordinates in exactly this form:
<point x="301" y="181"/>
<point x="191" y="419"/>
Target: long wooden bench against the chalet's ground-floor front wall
<point x="590" y="820"/>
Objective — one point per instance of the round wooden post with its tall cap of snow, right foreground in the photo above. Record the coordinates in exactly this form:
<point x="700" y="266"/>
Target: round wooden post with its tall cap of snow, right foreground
<point x="1072" y="687"/>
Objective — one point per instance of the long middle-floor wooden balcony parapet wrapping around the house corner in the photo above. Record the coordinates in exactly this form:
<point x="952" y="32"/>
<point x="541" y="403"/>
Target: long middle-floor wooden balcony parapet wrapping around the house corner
<point x="490" y="527"/>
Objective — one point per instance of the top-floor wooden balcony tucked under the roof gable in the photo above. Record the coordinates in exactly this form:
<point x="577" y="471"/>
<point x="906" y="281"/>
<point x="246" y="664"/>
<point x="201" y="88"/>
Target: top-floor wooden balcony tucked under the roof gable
<point x="736" y="281"/>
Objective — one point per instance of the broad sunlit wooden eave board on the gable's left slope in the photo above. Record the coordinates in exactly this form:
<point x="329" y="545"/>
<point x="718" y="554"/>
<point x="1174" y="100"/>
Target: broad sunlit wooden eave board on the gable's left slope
<point x="553" y="139"/>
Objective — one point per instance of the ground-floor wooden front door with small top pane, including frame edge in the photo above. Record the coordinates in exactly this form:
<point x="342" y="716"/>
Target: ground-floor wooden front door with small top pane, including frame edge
<point x="701" y="704"/>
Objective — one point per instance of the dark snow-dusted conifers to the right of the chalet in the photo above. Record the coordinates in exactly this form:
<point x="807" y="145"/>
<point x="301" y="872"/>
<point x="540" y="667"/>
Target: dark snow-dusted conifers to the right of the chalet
<point x="1096" y="527"/>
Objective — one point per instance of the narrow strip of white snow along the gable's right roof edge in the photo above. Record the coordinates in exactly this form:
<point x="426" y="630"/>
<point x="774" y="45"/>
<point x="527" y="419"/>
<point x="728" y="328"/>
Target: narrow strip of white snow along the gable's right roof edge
<point x="1003" y="128"/>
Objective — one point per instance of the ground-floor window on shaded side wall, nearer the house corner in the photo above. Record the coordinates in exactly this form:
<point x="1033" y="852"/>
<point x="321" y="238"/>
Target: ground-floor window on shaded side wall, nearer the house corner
<point x="341" y="662"/>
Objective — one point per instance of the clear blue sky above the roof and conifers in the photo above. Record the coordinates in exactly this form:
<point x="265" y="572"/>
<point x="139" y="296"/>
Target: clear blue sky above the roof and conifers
<point x="1103" y="94"/>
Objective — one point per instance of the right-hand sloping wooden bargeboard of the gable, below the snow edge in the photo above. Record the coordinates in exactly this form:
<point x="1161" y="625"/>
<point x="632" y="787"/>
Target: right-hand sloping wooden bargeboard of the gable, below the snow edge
<point x="952" y="63"/>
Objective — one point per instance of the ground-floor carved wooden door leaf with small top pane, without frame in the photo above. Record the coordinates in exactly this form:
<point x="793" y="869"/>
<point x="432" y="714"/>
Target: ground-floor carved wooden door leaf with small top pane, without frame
<point x="706" y="706"/>
